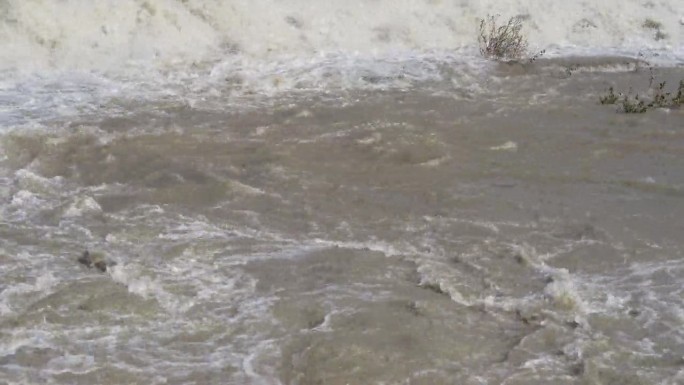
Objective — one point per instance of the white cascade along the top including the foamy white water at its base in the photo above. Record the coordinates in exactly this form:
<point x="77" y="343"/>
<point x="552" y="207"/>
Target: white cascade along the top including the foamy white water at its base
<point x="68" y="56"/>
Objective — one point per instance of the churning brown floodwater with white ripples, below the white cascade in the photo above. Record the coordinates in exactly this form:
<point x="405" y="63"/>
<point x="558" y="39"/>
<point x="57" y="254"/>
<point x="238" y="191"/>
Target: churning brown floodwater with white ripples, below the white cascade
<point x="509" y="231"/>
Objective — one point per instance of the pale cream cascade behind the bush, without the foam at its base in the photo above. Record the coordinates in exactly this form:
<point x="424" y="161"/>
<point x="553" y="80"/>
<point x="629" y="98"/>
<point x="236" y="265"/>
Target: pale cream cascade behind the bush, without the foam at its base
<point x="106" y="35"/>
